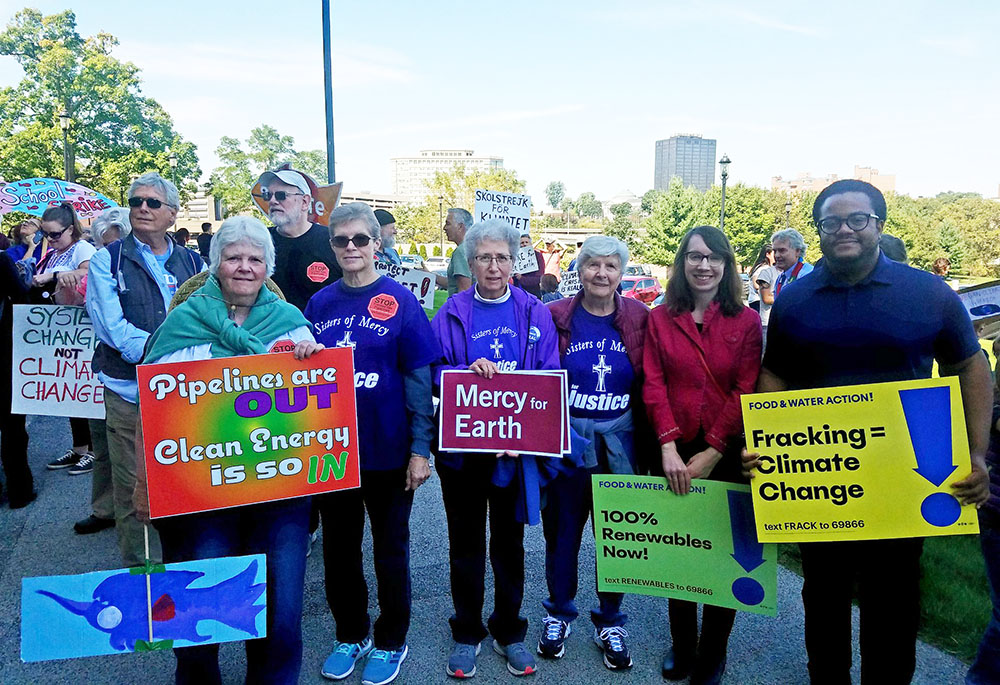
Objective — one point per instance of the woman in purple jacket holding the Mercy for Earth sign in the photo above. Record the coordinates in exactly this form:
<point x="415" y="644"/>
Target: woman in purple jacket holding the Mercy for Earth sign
<point x="491" y="328"/>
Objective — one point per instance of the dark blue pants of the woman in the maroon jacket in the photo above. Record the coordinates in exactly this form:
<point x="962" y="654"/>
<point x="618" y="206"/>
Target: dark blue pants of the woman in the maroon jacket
<point x="569" y="502"/>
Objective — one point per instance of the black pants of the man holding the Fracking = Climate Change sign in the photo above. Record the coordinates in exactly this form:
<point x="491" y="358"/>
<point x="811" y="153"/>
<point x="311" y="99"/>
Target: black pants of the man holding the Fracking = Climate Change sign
<point x="887" y="573"/>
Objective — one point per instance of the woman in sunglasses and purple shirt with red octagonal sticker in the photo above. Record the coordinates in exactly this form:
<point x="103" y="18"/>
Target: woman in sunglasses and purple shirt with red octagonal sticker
<point x="393" y="350"/>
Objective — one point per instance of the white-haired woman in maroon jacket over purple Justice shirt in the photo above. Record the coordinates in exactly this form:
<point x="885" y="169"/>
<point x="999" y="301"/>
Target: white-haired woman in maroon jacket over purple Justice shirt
<point x="601" y="337"/>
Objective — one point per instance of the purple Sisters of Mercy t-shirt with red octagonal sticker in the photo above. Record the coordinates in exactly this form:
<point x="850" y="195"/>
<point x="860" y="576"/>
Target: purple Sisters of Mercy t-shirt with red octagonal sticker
<point x="391" y="337"/>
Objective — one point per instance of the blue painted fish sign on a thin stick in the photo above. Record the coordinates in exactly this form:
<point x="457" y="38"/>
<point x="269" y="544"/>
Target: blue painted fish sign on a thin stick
<point x="112" y="612"/>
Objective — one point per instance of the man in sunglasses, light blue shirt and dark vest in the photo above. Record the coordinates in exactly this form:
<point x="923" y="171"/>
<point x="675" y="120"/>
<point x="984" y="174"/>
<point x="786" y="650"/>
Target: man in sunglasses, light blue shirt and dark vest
<point x="129" y="286"/>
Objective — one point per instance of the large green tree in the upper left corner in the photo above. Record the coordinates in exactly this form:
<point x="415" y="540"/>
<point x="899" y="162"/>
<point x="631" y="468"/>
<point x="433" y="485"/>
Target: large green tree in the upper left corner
<point x="115" y="133"/>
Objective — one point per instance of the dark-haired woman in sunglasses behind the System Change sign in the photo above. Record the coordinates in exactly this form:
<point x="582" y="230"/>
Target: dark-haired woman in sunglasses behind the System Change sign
<point x="57" y="277"/>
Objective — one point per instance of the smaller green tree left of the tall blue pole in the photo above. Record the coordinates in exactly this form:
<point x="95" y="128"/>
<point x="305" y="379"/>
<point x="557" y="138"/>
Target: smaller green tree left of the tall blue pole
<point x="265" y="149"/>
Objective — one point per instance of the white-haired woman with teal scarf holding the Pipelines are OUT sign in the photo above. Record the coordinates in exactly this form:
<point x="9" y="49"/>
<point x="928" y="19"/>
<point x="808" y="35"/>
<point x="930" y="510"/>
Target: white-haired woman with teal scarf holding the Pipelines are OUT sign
<point x="234" y="314"/>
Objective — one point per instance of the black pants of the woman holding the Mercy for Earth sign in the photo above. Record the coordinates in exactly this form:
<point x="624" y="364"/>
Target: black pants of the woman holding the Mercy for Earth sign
<point x="468" y="493"/>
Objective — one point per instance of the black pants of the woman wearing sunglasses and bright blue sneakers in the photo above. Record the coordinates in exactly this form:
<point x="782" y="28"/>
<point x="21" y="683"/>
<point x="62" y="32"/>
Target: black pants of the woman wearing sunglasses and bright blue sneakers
<point x="382" y="494"/>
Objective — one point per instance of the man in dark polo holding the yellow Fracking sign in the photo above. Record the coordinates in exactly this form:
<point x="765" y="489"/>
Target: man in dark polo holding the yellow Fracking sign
<point x="861" y="318"/>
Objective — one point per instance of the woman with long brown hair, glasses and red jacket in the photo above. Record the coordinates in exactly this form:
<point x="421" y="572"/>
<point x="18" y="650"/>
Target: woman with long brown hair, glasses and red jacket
<point x="702" y="352"/>
